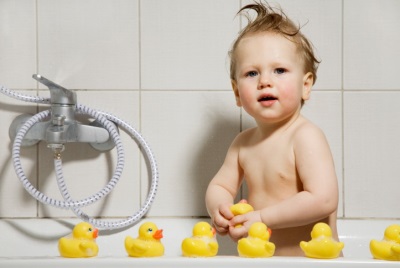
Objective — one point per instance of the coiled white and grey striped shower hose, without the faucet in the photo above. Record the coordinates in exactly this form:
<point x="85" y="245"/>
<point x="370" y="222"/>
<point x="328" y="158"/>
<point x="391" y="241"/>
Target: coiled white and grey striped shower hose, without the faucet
<point x="108" y="121"/>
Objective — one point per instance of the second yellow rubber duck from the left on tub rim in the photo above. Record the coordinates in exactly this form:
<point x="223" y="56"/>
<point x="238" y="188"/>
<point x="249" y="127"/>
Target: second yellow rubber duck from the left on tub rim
<point x="147" y="244"/>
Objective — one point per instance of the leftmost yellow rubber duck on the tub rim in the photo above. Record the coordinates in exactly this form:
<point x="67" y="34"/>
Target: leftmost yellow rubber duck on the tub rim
<point x="82" y="244"/>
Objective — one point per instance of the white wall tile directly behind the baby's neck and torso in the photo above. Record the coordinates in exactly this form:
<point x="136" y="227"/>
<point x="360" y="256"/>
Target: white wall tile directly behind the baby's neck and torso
<point x="324" y="110"/>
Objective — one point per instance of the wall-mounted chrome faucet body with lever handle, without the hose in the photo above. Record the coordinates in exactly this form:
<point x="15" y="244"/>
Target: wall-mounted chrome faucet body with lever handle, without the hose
<point x="62" y="127"/>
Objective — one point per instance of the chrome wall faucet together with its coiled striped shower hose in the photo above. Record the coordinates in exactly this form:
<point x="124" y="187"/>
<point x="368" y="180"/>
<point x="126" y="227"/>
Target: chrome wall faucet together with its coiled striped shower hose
<point x="62" y="127"/>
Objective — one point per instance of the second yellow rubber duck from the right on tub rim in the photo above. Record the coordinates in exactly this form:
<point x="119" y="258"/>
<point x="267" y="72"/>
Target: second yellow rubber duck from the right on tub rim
<point x="322" y="245"/>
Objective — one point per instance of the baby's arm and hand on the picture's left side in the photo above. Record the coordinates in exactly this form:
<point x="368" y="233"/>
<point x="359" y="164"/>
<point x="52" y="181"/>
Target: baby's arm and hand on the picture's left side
<point x="223" y="188"/>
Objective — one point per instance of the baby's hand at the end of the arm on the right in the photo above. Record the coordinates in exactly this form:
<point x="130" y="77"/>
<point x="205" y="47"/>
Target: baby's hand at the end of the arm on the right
<point x="246" y="220"/>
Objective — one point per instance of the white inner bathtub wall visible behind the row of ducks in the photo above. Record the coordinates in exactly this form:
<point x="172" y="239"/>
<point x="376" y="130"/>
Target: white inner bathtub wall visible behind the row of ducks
<point x="36" y="239"/>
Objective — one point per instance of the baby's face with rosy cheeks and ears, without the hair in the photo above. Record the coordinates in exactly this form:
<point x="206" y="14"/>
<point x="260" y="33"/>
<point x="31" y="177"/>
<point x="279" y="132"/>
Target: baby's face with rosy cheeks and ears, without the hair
<point x="270" y="81"/>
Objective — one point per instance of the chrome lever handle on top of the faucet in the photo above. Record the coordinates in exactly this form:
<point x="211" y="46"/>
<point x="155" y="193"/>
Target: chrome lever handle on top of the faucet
<point x="58" y="94"/>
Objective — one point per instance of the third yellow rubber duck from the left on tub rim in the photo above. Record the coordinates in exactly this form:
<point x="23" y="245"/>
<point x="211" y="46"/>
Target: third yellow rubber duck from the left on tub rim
<point x="203" y="242"/>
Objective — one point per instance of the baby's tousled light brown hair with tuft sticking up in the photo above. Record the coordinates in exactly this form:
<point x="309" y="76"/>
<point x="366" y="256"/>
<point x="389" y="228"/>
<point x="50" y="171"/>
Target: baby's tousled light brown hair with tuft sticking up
<point x="273" y="20"/>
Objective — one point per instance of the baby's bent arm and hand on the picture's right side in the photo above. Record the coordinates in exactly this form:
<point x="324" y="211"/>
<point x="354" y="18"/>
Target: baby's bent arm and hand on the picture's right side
<point x="319" y="196"/>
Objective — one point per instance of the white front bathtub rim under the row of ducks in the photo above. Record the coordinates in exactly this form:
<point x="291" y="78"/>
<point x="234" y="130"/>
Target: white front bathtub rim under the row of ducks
<point x="178" y="262"/>
